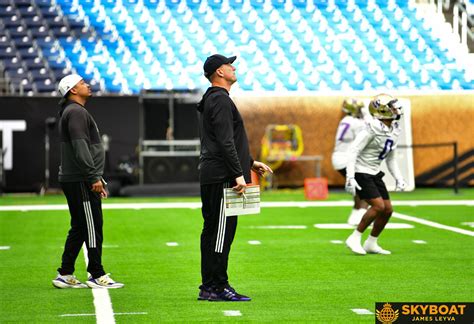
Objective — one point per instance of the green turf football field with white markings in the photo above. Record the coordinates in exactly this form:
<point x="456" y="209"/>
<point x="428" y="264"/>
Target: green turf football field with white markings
<point x="290" y="259"/>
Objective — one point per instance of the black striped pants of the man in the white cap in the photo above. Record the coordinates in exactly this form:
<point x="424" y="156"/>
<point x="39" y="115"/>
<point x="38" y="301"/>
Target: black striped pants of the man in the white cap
<point x="85" y="207"/>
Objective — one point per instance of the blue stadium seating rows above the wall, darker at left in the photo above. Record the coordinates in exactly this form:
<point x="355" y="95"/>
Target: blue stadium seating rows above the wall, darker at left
<point x="282" y="45"/>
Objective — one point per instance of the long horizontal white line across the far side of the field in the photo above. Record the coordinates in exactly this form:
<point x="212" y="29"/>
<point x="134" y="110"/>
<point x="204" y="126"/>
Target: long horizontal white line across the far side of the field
<point x="275" y="204"/>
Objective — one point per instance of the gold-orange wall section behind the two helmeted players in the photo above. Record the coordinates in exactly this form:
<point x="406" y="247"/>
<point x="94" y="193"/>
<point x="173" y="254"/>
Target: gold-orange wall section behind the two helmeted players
<point x="436" y="118"/>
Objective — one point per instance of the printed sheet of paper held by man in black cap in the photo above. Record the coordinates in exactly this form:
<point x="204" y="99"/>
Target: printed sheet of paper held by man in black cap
<point x="245" y="204"/>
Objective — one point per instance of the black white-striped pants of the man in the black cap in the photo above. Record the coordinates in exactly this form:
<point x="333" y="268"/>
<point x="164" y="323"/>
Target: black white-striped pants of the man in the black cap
<point x="216" y="238"/>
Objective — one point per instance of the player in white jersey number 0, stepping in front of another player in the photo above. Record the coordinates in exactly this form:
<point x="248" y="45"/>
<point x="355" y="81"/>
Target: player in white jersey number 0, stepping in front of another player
<point x="377" y="142"/>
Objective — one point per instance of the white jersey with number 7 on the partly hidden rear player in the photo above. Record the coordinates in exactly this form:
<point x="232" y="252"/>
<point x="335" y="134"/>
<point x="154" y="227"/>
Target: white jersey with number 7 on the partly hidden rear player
<point x="347" y="130"/>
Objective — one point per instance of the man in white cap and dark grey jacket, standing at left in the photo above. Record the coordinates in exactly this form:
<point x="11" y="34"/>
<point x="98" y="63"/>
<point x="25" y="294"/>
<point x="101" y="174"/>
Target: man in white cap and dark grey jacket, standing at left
<point x="80" y="175"/>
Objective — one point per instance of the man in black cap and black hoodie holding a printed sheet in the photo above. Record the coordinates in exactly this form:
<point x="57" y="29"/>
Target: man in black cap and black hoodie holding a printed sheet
<point x="225" y="162"/>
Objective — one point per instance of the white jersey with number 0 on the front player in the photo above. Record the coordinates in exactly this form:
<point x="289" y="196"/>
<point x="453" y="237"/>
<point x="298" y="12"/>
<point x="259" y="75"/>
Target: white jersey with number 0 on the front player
<point x="371" y="146"/>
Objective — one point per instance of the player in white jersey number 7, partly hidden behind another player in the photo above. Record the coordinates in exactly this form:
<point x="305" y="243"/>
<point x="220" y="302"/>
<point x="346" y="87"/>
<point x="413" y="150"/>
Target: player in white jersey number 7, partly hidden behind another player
<point x="349" y="126"/>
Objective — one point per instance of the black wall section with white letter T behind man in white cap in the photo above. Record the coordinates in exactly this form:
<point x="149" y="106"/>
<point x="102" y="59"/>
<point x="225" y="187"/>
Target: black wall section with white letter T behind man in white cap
<point x="115" y="116"/>
